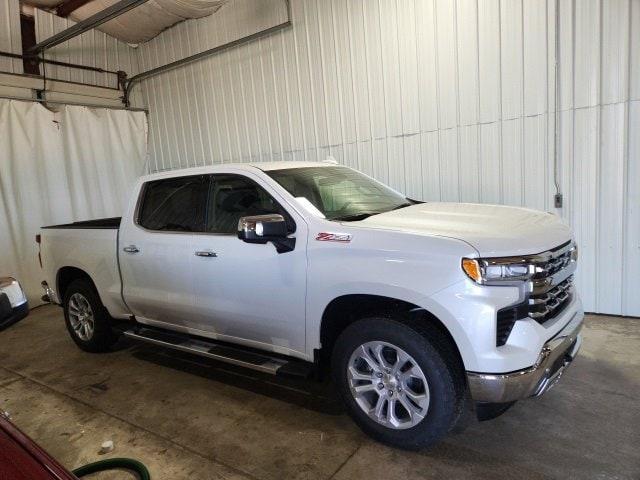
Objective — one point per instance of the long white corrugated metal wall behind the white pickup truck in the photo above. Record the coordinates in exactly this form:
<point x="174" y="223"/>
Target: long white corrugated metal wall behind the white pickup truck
<point x="444" y="100"/>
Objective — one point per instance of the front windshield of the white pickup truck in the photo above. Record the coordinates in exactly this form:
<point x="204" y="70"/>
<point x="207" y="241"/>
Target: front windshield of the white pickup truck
<point x="339" y="193"/>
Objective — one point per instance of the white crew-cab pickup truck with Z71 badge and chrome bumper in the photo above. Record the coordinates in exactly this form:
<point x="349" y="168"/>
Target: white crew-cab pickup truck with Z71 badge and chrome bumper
<point x="417" y="309"/>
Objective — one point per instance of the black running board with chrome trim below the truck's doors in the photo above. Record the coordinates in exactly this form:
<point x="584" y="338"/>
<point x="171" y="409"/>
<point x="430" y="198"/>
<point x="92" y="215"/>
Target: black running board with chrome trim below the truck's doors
<point x="223" y="353"/>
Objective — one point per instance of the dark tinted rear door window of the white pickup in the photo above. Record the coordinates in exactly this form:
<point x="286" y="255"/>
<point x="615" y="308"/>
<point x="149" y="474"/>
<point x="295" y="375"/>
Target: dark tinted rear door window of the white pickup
<point x="175" y="204"/>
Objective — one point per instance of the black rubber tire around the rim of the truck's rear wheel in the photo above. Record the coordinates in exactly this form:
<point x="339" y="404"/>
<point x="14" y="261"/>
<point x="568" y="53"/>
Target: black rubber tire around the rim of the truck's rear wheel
<point x="102" y="336"/>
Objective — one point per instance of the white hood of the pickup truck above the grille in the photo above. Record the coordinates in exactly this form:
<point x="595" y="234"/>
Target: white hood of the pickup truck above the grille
<point x="493" y="230"/>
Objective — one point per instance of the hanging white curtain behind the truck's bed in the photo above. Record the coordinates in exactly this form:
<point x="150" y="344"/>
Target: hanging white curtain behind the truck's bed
<point x="57" y="167"/>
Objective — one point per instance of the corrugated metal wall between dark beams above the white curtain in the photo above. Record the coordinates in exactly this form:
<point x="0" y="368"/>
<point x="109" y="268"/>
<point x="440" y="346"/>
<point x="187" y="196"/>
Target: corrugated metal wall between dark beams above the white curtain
<point x="92" y="48"/>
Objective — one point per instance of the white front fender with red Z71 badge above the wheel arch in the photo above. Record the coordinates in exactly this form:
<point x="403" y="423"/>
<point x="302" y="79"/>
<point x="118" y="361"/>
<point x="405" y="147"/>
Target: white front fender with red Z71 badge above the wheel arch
<point x="406" y="267"/>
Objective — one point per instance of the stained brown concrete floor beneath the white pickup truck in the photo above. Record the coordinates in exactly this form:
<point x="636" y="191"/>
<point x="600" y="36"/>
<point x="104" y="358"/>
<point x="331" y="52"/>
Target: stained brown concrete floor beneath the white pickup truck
<point x="191" y="420"/>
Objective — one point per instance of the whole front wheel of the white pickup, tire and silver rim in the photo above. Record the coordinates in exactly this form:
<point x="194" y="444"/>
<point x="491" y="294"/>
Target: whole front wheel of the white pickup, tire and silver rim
<point x="398" y="382"/>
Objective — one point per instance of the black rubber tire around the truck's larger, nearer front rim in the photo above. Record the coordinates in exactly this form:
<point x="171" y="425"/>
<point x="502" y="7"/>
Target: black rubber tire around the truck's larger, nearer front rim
<point x="435" y="357"/>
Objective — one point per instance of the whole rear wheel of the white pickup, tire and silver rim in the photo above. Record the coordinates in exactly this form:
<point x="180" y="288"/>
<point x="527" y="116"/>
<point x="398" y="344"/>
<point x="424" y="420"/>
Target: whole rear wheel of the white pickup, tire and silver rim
<point x="87" y="320"/>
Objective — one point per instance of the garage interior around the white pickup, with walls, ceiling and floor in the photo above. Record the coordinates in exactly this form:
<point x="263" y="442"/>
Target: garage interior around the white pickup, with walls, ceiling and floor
<point x="517" y="102"/>
